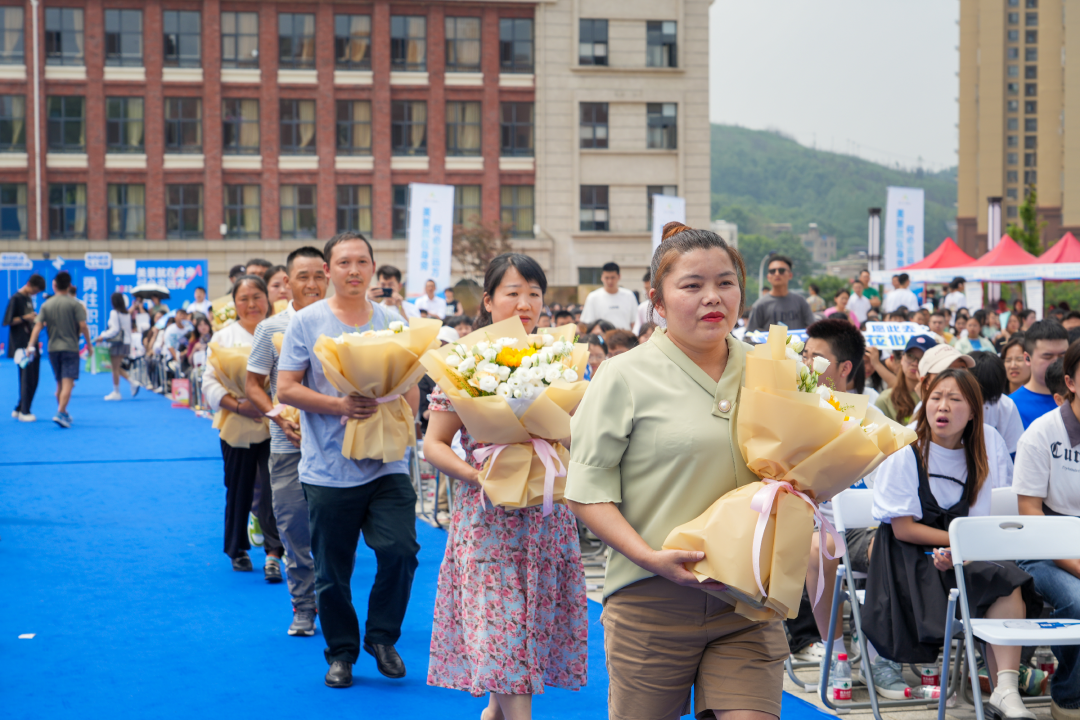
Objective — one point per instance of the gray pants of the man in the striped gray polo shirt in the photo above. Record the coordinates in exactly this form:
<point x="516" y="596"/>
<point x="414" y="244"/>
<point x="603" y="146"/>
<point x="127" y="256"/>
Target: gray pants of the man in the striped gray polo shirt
<point x="291" y="511"/>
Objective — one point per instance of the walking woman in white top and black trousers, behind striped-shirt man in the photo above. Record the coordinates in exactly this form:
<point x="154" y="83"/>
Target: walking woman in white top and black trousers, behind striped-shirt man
<point x="244" y="466"/>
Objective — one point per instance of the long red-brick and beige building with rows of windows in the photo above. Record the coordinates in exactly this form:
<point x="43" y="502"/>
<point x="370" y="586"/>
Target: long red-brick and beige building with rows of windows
<point x="233" y="129"/>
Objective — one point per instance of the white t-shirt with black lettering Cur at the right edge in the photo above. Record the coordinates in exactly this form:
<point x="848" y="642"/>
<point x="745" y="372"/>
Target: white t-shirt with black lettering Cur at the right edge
<point x="1048" y="463"/>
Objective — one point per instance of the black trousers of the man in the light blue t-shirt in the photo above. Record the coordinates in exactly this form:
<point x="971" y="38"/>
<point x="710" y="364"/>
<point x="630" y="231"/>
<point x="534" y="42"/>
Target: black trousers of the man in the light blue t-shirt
<point x="385" y="510"/>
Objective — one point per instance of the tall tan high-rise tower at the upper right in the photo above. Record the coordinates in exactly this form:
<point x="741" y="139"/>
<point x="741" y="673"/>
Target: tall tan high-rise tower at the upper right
<point x="1020" y="115"/>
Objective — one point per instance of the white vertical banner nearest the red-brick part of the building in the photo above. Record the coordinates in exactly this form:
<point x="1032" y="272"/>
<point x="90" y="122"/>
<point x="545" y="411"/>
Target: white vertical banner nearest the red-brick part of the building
<point x="430" y="237"/>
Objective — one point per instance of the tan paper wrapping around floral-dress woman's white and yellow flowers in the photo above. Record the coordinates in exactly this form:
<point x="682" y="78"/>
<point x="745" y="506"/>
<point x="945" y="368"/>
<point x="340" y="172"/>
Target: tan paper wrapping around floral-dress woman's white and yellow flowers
<point x="517" y="478"/>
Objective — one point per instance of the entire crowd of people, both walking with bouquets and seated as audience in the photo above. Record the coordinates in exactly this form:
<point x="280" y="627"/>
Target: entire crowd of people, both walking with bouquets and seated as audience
<point x="993" y="395"/>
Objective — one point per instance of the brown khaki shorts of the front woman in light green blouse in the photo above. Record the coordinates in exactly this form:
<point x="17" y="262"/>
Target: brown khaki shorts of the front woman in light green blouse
<point x="661" y="640"/>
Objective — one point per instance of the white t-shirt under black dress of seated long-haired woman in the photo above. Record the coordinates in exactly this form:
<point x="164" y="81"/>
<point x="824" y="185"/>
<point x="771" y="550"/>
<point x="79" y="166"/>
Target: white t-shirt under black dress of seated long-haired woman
<point x="897" y="483"/>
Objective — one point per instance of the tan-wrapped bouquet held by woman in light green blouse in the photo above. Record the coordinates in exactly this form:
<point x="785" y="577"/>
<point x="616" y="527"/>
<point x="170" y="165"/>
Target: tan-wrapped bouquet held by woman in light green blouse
<point x="807" y="446"/>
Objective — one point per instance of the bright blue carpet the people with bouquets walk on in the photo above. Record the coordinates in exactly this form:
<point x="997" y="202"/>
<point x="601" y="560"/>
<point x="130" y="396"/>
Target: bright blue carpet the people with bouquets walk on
<point x="112" y="554"/>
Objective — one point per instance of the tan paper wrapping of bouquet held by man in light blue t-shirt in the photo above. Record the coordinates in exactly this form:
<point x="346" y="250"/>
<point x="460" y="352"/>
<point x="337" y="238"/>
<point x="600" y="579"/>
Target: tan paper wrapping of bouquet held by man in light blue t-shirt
<point x="380" y="368"/>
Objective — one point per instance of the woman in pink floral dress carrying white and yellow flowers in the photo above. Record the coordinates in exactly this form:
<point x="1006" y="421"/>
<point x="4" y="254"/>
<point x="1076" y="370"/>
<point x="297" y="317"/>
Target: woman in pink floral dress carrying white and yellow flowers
<point x="511" y="615"/>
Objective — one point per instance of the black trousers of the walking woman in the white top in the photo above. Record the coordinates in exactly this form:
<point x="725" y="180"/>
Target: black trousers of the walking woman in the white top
<point x="242" y="468"/>
